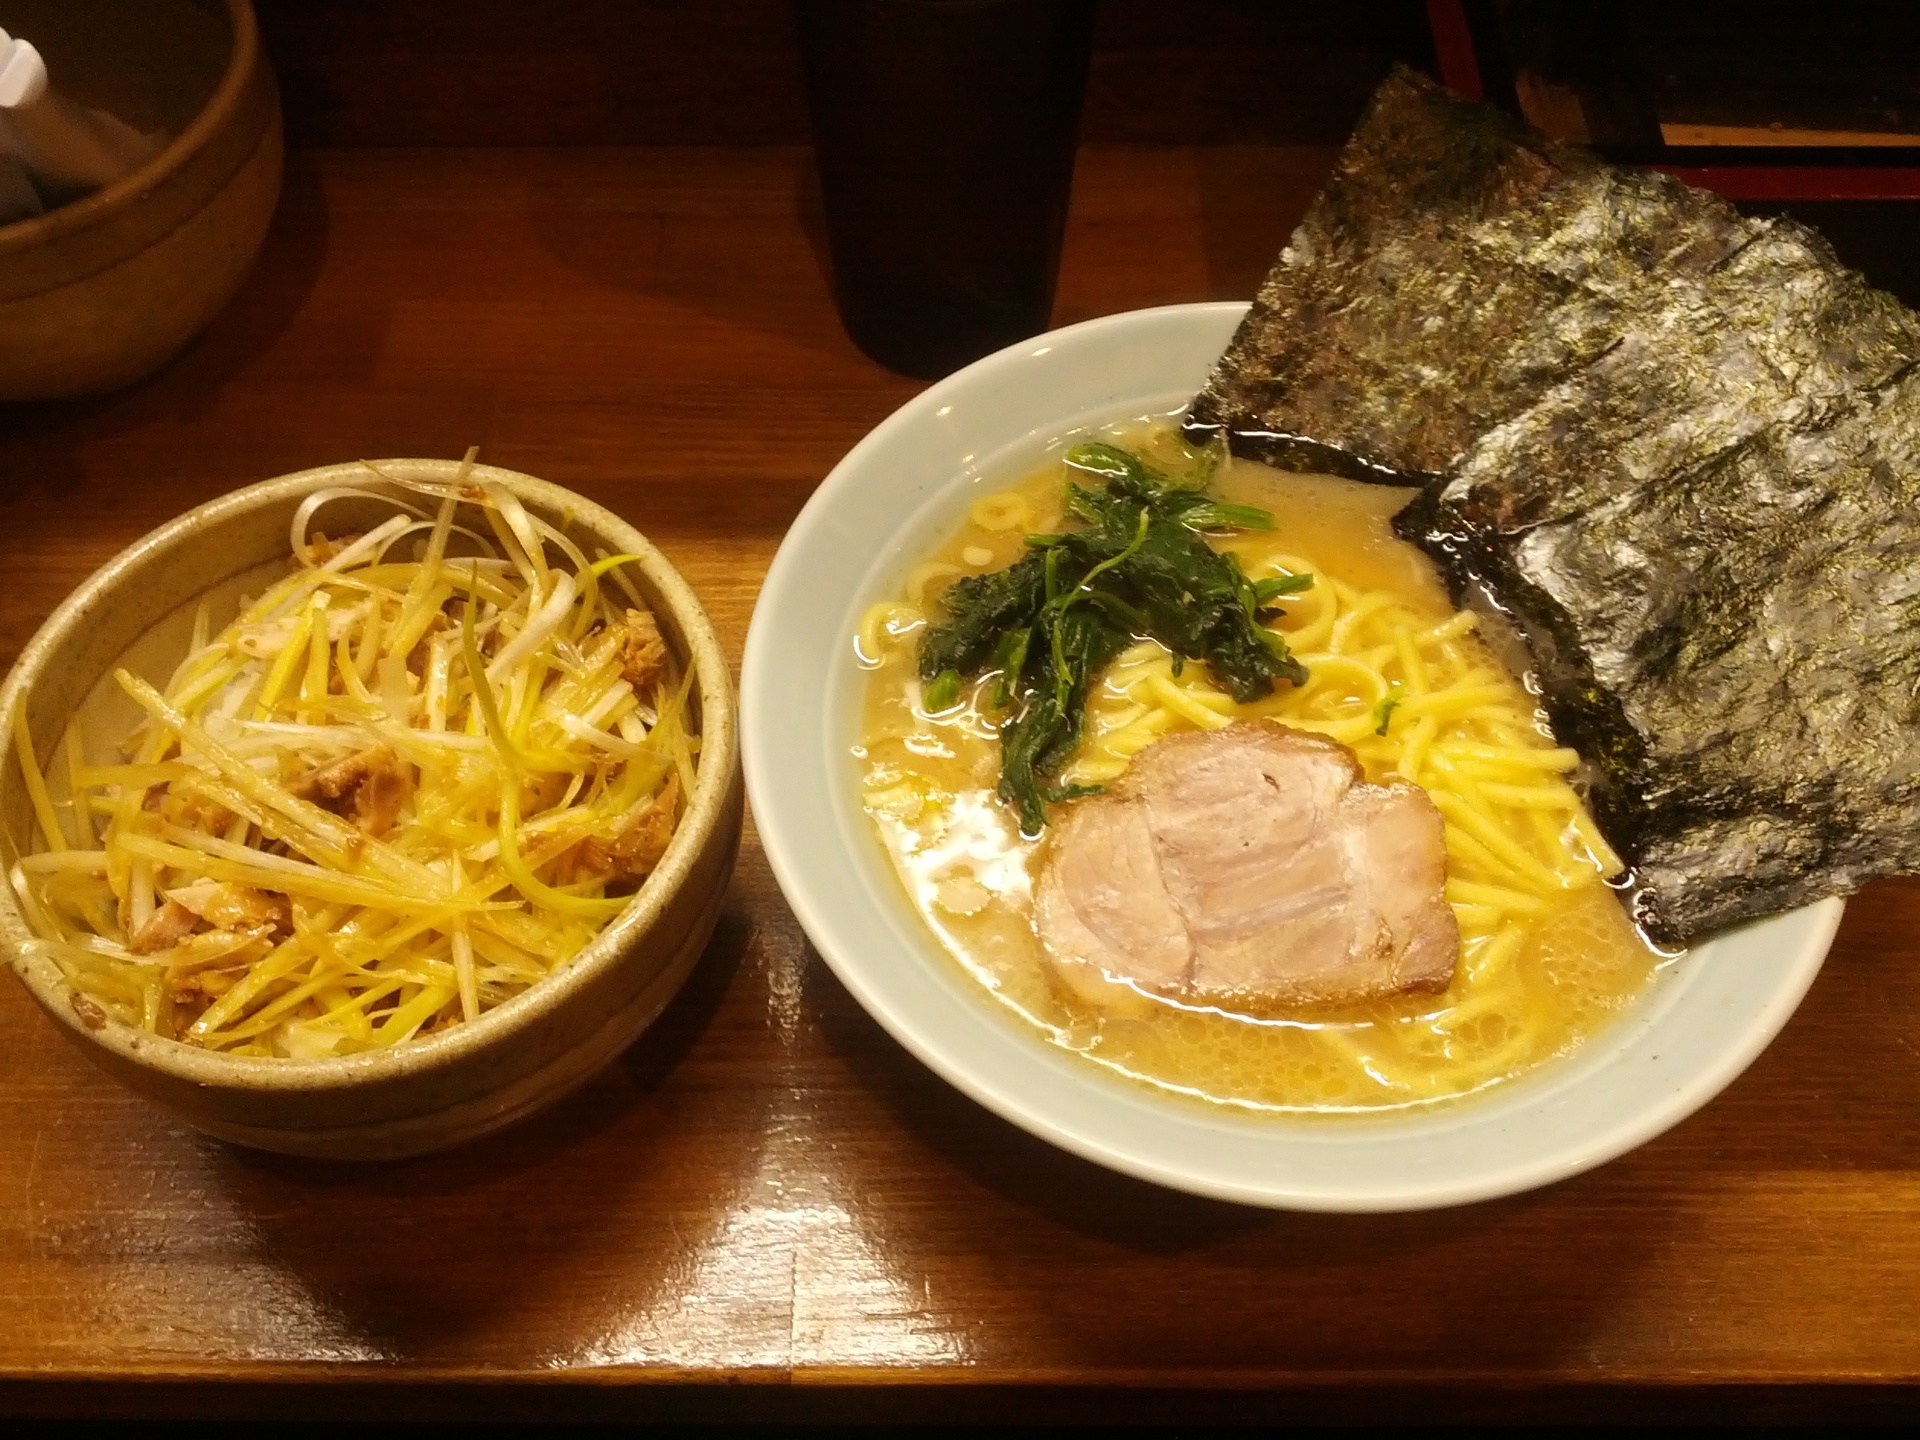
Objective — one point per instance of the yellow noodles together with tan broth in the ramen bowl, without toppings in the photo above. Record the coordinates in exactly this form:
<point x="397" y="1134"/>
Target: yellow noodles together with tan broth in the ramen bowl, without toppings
<point x="1395" y="673"/>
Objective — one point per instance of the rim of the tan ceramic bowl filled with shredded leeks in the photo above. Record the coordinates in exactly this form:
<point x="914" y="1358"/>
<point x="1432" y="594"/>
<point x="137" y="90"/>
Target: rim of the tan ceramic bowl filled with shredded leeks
<point x="706" y="807"/>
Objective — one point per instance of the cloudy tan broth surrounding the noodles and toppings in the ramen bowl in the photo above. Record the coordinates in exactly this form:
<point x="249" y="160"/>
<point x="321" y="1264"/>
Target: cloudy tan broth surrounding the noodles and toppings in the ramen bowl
<point x="969" y="873"/>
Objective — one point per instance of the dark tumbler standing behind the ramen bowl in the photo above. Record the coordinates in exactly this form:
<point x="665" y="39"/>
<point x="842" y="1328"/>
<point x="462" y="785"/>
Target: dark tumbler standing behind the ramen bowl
<point x="946" y="137"/>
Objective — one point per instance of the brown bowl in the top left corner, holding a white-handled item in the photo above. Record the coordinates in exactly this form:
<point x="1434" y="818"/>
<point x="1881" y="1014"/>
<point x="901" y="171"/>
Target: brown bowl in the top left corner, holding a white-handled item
<point x="108" y="289"/>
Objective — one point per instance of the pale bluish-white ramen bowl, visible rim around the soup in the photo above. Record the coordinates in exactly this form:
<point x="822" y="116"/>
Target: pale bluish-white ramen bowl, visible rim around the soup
<point x="894" y="500"/>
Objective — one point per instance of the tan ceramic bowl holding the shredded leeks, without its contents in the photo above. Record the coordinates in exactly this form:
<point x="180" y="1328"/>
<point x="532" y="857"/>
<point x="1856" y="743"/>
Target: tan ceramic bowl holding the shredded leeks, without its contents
<point x="441" y="1090"/>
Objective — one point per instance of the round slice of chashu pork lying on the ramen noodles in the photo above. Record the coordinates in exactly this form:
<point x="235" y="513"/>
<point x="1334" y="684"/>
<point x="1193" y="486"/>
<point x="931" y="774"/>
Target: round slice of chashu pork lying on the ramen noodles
<point x="1249" y="869"/>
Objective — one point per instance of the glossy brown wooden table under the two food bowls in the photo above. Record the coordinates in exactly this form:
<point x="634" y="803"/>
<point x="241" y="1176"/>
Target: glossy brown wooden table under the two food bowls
<point x="767" y="1189"/>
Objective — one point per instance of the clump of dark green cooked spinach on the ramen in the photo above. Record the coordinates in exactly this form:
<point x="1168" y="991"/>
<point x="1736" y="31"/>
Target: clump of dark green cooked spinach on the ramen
<point x="1059" y="615"/>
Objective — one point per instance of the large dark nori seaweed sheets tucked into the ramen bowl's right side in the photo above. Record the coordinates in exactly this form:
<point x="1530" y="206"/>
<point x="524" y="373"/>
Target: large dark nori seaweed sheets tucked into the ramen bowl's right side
<point x="1675" y="446"/>
